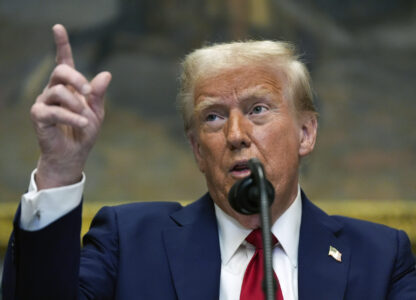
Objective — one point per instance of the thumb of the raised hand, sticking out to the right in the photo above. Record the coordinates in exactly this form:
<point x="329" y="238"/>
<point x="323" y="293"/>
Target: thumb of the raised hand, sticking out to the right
<point x="99" y="86"/>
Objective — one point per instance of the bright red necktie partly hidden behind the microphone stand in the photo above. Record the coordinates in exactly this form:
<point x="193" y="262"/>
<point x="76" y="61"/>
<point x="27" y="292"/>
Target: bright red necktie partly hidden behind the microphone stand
<point x="253" y="277"/>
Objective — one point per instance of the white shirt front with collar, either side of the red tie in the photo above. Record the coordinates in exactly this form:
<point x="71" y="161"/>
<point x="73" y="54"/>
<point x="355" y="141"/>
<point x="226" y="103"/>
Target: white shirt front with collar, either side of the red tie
<point x="236" y="253"/>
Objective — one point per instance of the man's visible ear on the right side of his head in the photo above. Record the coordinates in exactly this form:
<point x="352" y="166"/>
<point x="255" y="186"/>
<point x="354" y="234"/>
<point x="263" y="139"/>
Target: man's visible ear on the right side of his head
<point x="308" y="130"/>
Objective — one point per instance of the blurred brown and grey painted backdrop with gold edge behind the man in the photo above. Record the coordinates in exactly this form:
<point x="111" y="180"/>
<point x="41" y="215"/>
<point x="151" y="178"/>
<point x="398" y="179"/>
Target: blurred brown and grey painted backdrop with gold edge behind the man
<point x="361" y="54"/>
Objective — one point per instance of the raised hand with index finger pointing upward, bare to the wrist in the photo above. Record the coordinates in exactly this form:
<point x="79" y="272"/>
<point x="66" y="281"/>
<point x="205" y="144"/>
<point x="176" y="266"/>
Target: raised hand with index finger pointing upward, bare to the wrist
<point x="67" y="117"/>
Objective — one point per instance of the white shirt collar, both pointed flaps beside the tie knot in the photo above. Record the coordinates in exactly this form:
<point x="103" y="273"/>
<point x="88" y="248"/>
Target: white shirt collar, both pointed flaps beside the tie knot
<point x="286" y="229"/>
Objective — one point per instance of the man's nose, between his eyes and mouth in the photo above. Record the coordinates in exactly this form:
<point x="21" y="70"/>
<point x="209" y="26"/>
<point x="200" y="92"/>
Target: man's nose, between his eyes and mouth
<point x="236" y="131"/>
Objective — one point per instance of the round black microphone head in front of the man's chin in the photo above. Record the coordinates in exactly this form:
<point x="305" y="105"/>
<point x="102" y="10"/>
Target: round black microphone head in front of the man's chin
<point x="244" y="195"/>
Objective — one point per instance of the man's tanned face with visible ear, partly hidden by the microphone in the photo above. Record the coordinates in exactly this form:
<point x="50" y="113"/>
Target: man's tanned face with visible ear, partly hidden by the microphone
<point x="241" y="114"/>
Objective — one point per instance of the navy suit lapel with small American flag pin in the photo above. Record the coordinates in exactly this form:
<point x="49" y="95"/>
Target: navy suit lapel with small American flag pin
<point x="321" y="276"/>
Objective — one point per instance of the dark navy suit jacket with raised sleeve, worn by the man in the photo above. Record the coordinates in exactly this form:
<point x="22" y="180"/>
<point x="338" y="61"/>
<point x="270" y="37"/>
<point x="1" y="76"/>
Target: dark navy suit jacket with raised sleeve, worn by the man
<point x="163" y="251"/>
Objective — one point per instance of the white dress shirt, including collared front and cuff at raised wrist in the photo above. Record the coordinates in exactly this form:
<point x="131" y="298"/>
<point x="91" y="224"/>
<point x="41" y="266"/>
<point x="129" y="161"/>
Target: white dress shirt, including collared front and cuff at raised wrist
<point x="41" y="208"/>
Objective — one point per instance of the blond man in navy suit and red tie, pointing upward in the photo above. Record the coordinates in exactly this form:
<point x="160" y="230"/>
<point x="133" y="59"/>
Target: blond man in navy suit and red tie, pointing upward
<point x="239" y="100"/>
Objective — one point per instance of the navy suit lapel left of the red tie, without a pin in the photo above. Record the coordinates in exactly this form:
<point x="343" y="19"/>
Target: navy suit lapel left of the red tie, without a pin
<point x="193" y="251"/>
